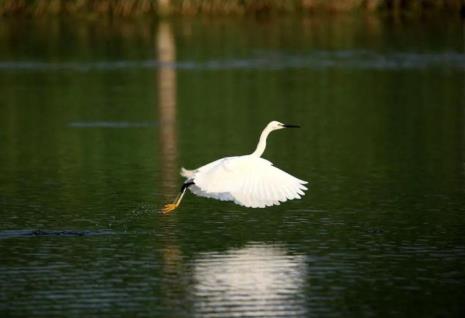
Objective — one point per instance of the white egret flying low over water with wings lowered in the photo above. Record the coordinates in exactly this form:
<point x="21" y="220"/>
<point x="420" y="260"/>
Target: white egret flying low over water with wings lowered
<point x="249" y="180"/>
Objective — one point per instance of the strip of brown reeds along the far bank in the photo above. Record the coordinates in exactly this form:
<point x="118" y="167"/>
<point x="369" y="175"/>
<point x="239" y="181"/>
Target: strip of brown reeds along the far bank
<point x="194" y="7"/>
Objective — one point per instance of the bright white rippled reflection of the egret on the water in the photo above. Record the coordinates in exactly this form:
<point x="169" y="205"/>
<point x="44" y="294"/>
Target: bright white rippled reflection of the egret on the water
<point x="257" y="280"/>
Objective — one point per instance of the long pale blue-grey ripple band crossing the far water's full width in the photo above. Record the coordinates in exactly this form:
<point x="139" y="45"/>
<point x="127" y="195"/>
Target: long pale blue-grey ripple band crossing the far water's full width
<point x="344" y="59"/>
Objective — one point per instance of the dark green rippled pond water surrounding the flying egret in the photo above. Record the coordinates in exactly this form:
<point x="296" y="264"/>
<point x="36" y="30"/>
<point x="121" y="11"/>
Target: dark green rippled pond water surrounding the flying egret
<point x="97" y="117"/>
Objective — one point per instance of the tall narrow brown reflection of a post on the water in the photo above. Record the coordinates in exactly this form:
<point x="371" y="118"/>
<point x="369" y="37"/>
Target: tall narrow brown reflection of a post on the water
<point x="167" y="106"/>
